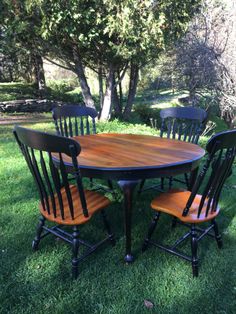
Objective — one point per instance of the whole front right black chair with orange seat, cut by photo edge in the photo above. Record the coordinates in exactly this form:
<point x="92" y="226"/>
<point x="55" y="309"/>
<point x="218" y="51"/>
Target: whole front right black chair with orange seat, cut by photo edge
<point x="193" y="208"/>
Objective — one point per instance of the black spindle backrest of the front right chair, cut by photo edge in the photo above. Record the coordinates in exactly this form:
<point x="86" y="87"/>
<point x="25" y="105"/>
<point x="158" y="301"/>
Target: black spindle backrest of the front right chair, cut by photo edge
<point x="221" y="149"/>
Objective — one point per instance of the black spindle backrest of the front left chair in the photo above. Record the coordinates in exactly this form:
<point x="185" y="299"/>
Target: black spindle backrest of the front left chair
<point x="51" y="178"/>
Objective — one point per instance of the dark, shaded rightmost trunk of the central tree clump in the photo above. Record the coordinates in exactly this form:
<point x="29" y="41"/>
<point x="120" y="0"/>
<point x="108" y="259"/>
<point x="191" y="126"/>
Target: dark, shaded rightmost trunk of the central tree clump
<point x="132" y="89"/>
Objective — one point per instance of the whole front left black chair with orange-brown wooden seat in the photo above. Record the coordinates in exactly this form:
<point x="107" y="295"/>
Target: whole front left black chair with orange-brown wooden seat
<point x="61" y="203"/>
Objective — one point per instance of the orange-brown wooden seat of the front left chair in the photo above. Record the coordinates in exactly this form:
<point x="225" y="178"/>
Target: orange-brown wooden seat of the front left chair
<point x="95" y="202"/>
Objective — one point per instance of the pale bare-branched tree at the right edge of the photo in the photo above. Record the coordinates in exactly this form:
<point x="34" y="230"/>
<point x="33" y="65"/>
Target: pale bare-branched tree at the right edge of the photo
<point x="204" y="60"/>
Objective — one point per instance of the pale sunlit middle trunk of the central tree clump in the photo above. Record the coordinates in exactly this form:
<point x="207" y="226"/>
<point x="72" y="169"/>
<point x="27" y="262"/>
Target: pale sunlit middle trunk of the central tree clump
<point x="106" y="108"/>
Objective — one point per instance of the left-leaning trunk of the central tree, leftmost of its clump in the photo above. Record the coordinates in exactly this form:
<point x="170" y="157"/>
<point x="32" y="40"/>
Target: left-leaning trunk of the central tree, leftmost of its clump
<point x="88" y="100"/>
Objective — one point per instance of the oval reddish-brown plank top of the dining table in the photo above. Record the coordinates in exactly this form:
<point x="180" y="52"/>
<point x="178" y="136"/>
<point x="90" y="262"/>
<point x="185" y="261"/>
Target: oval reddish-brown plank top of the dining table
<point x="120" y="152"/>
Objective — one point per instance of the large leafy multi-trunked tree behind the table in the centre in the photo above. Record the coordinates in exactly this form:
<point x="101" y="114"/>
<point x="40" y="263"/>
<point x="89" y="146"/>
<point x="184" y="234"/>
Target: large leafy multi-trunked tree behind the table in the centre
<point x="111" y="38"/>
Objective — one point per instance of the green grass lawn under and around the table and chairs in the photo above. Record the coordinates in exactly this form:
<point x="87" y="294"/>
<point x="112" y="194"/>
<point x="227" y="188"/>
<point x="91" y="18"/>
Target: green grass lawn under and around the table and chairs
<point x="40" y="282"/>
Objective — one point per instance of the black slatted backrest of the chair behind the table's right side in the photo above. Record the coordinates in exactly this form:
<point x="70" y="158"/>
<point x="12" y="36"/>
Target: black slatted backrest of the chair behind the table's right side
<point x="183" y="123"/>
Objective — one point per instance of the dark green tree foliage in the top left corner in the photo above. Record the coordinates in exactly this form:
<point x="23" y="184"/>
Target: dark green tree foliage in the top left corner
<point x="21" y="42"/>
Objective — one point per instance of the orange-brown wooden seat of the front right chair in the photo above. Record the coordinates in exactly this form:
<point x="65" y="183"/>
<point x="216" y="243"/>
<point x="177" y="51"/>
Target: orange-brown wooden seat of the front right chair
<point x="174" y="202"/>
